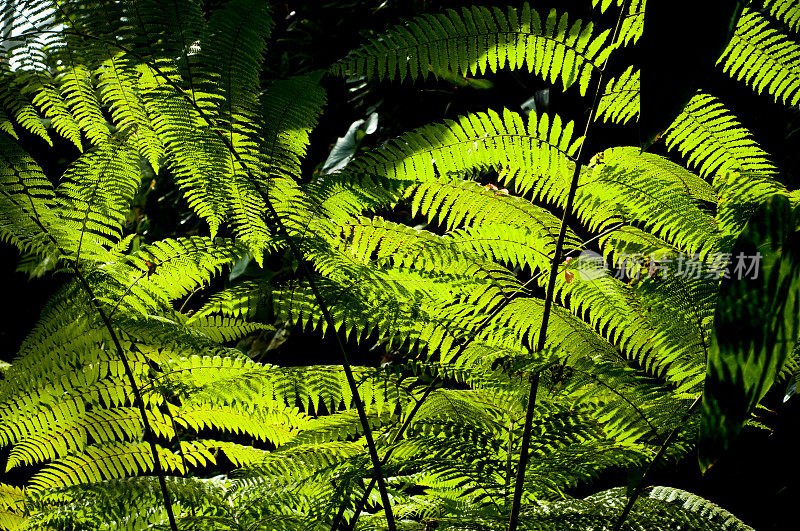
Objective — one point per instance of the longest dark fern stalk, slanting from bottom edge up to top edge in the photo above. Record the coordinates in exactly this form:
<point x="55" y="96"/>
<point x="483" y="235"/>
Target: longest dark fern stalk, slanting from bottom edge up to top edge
<point x="516" y="504"/>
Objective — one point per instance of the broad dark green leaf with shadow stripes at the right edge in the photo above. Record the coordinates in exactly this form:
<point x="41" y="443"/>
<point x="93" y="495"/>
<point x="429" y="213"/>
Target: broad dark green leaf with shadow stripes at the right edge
<point x="756" y="325"/>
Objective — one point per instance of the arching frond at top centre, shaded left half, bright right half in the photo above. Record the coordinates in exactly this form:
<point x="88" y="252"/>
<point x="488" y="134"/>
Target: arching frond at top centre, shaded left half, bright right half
<point x="478" y="40"/>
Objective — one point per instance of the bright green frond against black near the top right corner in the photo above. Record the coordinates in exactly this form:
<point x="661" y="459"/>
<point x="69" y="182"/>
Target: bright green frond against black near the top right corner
<point x="764" y="58"/>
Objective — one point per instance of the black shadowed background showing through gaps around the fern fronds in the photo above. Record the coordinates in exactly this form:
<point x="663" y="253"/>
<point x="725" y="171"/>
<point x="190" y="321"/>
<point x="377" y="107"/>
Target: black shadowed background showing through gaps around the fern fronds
<point x="757" y="481"/>
